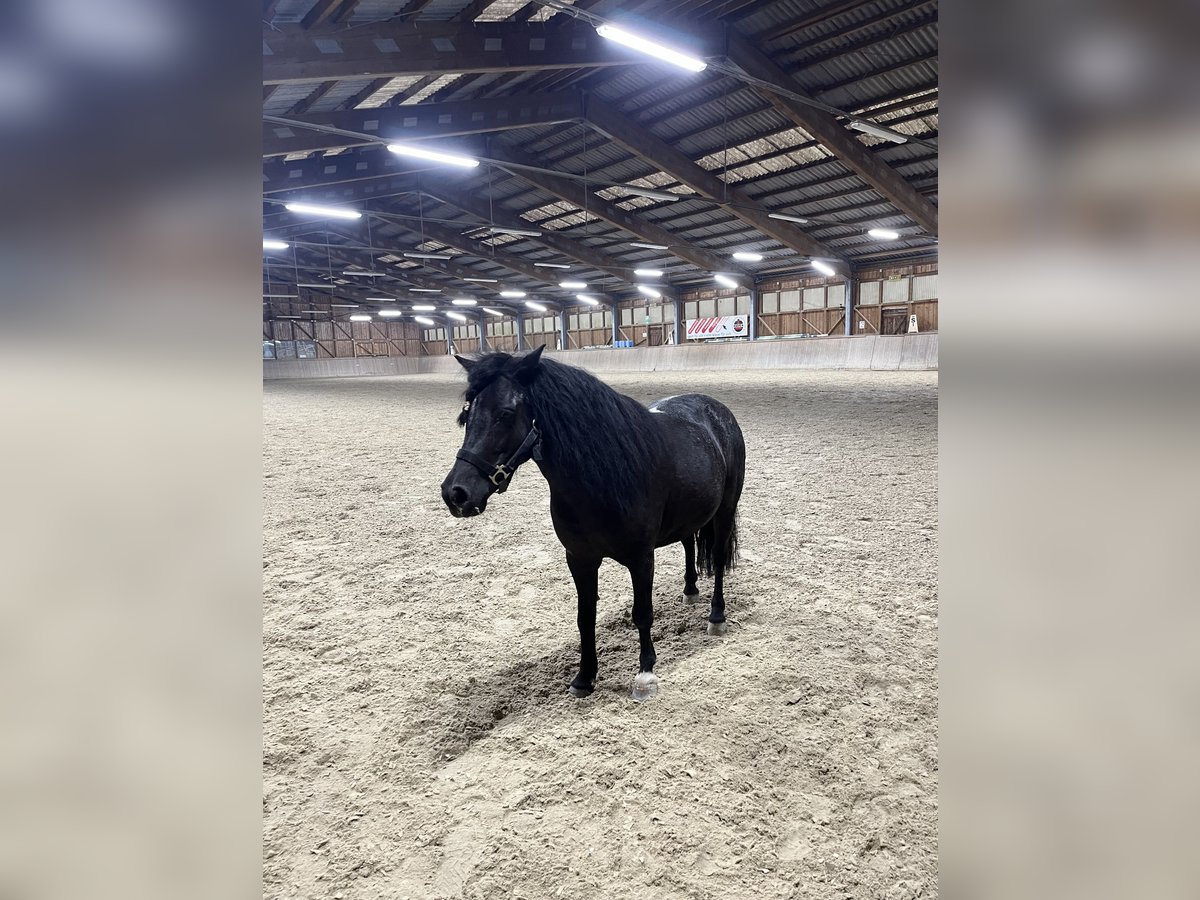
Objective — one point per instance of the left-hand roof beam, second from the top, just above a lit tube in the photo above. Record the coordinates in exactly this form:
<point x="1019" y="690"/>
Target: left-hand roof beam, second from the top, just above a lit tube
<point x="424" y="122"/>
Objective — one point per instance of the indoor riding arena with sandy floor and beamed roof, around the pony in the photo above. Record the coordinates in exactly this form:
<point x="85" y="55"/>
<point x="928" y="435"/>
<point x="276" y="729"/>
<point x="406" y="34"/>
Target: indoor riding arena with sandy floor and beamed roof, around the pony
<point x="735" y="200"/>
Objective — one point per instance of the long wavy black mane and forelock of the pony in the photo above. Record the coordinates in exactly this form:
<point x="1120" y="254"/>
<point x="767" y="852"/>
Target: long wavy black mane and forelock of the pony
<point x="602" y="440"/>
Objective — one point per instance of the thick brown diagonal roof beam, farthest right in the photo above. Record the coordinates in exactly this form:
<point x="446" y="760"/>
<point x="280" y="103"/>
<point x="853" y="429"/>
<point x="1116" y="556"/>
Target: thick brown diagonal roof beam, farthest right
<point x="826" y="129"/>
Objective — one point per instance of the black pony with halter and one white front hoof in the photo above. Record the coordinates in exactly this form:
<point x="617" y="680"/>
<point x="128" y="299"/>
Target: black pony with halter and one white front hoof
<point x="625" y="479"/>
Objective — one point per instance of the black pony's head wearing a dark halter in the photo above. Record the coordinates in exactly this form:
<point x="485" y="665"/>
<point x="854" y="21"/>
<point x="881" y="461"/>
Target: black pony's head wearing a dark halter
<point x="500" y="430"/>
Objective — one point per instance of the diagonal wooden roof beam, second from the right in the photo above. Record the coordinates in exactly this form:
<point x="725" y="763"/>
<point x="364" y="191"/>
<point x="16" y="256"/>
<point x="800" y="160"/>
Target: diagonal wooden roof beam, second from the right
<point x="733" y="200"/>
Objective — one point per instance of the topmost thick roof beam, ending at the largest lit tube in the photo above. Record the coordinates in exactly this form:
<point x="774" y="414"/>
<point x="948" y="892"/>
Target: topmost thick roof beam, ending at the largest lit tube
<point x="382" y="50"/>
